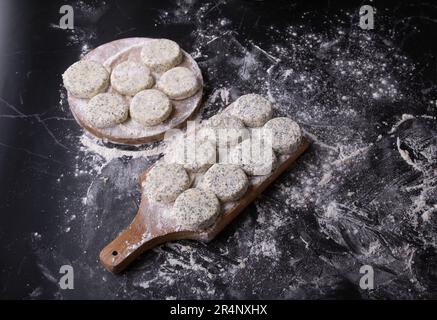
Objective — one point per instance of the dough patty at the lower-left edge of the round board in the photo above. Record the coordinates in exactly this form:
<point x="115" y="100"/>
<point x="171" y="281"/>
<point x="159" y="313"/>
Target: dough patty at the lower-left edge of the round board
<point x="105" y="110"/>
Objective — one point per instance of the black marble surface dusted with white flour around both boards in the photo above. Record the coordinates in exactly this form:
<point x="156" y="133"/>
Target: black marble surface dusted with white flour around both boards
<point x="363" y="194"/>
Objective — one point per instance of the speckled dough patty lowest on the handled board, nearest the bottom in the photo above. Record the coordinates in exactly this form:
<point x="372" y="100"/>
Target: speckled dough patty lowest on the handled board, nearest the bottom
<point x="196" y="209"/>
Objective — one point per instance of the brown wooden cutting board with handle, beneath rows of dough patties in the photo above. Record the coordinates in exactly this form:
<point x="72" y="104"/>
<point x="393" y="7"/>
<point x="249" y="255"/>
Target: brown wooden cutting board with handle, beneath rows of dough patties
<point x="149" y="229"/>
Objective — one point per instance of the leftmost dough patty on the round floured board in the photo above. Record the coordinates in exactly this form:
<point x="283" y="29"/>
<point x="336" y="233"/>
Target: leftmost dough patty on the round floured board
<point x="84" y="79"/>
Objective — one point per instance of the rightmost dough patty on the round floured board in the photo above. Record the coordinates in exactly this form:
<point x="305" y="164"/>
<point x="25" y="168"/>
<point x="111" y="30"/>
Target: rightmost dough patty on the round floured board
<point x="178" y="83"/>
